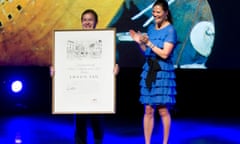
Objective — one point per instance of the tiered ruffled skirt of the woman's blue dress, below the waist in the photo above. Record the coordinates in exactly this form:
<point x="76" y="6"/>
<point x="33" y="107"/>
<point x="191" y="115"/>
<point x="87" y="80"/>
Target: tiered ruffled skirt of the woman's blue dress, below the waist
<point x="163" y="90"/>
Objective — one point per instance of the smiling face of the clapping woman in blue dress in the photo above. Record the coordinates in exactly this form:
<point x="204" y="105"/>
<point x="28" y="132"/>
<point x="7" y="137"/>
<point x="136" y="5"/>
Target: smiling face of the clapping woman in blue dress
<point x="159" y="14"/>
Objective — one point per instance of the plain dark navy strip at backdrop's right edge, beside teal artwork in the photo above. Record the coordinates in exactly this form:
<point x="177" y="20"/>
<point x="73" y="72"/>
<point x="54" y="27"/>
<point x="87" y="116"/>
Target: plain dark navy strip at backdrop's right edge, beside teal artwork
<point x="226" y="49"/>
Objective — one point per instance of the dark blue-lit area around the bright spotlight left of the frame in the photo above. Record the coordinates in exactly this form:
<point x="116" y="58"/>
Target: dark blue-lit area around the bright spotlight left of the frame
<point x="36" y="95"/>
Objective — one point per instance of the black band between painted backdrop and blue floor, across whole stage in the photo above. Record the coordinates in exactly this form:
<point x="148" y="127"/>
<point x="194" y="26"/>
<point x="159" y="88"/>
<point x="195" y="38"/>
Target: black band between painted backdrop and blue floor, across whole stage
<point x="201" y="92"/>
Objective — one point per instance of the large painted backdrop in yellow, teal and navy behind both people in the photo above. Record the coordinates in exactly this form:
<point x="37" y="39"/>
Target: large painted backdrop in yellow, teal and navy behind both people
<point x="207" y="30"/>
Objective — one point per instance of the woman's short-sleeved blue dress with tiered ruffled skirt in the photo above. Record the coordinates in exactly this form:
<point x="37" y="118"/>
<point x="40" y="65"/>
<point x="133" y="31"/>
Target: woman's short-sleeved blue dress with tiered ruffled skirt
<point x="162" y="91"/>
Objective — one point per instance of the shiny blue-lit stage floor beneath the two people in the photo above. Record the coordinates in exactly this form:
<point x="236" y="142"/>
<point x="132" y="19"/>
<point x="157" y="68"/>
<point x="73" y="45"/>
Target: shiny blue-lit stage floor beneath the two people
<point x="59" y="129"/>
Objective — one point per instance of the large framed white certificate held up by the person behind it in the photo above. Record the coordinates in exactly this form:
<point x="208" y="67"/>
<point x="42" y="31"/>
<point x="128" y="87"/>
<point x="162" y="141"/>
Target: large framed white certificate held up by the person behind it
<point x="83" y="63"/>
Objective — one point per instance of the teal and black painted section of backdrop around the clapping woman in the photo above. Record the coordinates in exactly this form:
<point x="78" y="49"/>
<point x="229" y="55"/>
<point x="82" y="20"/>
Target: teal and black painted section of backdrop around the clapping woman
<point x="194" y="24"/>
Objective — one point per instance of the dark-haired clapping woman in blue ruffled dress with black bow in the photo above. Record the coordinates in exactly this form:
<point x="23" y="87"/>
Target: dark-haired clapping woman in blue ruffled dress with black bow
<point x="158" y="76"/>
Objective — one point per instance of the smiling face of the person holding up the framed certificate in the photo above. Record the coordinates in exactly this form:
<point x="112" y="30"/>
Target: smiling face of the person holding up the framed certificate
<point x="88" y="21"/>
